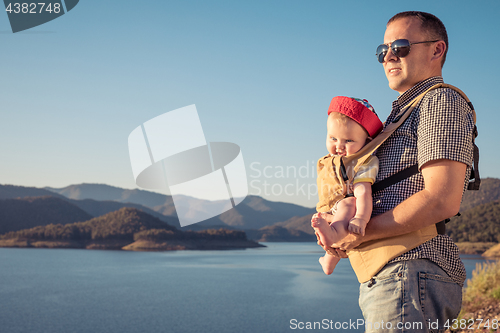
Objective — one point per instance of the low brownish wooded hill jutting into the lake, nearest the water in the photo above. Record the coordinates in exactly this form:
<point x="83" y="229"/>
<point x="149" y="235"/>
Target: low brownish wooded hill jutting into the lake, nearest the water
<point x="123" y="229"/>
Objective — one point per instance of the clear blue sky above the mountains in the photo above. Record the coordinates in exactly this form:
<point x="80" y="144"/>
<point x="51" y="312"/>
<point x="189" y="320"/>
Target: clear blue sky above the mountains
<point x="261" y="74"/>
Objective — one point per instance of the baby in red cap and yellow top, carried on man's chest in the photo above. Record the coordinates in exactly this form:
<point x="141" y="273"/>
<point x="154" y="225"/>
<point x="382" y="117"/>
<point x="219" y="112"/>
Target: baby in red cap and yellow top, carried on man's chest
<point x="351" y="124"/>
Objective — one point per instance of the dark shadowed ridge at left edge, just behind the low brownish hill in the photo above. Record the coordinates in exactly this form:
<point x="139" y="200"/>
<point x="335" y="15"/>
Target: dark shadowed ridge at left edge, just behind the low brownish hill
<point x="22" y="213"/>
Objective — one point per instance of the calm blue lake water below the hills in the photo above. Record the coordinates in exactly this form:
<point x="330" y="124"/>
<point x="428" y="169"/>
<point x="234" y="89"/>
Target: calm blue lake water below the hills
<point x="253" y="290"/>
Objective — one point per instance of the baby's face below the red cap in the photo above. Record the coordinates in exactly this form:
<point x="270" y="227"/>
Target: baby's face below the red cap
<point x="344" y="139"/>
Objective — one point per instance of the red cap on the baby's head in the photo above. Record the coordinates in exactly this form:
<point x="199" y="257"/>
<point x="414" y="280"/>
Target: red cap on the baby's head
<point x="358" y="110"/>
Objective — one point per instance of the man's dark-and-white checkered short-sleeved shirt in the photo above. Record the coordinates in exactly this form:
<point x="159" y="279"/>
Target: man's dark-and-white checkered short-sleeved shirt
<point x="440" y="127"/>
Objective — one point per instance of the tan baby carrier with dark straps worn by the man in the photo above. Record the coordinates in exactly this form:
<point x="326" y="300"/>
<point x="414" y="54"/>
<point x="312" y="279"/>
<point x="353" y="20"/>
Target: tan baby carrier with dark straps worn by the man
<point x="368" y="258"/>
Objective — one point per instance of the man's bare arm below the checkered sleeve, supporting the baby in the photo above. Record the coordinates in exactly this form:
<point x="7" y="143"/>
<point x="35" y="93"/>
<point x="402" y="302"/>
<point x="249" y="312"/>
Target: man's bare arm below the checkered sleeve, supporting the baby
<point x="439" y="200"/>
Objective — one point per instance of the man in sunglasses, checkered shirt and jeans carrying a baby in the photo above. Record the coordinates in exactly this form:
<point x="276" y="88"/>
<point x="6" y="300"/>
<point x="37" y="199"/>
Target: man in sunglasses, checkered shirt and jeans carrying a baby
<point x="420" y="289"/>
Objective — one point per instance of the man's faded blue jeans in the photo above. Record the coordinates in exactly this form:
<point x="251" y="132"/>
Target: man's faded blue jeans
<point x="410" y="296"/>
